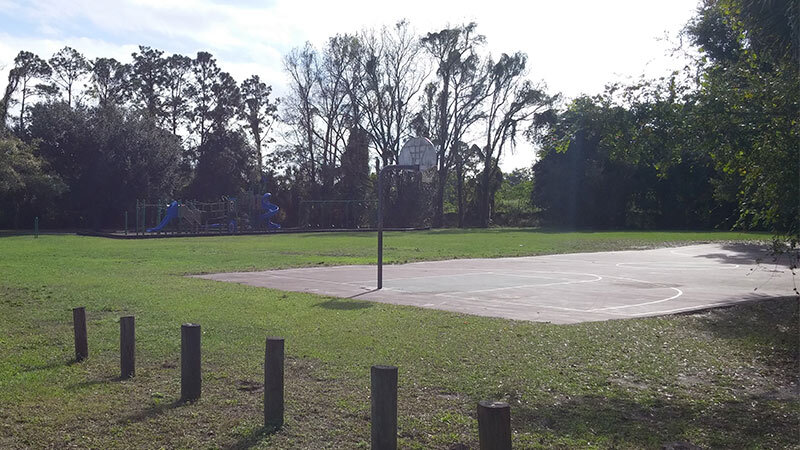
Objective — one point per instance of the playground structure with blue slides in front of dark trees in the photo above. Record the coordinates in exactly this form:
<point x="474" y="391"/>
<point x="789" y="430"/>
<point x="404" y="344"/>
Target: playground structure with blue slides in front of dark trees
<point x="230" y="215"/>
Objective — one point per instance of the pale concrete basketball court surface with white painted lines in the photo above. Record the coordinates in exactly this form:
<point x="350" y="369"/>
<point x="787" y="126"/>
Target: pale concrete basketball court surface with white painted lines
<point x="568" y="288"/>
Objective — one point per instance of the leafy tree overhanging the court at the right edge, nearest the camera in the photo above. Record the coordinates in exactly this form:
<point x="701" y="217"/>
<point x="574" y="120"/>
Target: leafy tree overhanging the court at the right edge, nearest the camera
<point x="750" y="101"/>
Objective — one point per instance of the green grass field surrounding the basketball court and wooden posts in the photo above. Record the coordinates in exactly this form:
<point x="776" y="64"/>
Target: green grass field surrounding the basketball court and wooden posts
<point x="725" y="378"/>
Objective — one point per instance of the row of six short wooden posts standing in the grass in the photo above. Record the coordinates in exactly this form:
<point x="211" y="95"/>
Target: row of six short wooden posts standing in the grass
<point x="494" y="418"/>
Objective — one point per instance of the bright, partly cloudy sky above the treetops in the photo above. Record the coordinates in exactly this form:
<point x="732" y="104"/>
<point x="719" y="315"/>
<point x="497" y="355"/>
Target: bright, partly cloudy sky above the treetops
<point x="574" y="46"/>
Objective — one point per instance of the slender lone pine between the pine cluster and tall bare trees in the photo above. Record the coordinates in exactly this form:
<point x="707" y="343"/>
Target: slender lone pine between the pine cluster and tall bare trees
<point x="259" y="113"/>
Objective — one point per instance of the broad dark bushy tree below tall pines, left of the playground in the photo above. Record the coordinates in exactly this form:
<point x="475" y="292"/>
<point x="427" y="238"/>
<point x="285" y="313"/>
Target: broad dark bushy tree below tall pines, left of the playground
<point x="108" y="157"/>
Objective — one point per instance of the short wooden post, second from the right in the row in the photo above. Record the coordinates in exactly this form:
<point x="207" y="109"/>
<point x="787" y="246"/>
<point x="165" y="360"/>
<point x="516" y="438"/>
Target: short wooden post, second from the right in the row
<point x="384" y="407"/>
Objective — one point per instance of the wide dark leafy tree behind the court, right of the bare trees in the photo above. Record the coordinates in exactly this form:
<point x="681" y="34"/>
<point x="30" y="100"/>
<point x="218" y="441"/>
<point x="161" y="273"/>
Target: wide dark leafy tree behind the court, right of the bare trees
<point x="630" y="158"/>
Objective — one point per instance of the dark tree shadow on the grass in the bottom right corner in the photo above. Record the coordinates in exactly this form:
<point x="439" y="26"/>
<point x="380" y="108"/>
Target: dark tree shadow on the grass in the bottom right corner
<point x="756" y="416"/>
